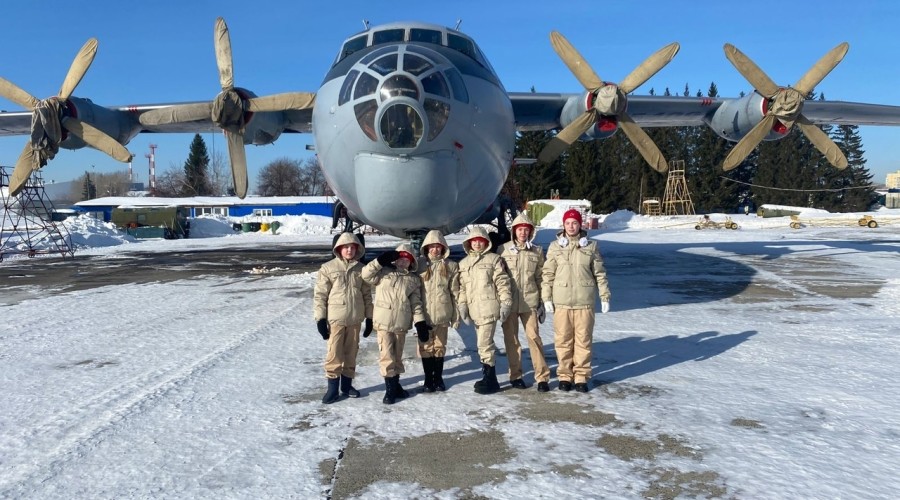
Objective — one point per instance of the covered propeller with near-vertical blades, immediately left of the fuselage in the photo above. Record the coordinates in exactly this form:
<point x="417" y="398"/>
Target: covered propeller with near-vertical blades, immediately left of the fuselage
<point x="229" y="109"/>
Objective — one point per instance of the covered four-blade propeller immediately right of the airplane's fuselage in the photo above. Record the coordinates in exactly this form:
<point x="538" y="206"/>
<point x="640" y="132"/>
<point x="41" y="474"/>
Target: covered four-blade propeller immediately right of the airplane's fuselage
<point x="610" y="101"/>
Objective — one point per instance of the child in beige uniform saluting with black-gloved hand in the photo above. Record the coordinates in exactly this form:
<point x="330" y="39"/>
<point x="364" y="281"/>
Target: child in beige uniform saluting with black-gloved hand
<point x="397" y="307"/>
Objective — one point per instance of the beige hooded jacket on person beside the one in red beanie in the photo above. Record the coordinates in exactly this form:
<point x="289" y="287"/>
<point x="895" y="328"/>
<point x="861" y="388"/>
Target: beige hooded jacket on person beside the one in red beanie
<point x="525" y="263"/>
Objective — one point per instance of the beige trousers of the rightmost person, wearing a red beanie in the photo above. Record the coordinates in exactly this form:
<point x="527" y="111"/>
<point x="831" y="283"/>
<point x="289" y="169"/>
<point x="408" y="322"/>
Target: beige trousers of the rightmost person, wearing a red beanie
<point x="574" y="340"/>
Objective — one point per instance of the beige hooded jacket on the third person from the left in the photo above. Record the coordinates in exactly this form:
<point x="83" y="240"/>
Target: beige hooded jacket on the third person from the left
<point x="440" y="282"/>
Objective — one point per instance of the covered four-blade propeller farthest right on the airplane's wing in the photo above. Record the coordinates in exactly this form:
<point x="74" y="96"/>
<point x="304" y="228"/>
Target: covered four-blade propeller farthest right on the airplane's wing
<point x="785" y="105"/>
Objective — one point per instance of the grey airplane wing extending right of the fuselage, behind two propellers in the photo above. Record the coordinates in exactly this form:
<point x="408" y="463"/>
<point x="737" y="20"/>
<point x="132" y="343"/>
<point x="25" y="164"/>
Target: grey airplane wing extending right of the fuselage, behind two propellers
<point x="543" y="111"/>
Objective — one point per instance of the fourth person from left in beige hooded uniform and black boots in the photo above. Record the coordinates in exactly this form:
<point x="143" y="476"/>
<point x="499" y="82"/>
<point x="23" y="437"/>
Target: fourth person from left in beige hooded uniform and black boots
<point x="484" y="298"/>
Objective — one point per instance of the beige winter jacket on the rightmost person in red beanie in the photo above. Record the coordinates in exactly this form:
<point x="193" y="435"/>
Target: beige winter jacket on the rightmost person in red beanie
<point x="573" y="274"/>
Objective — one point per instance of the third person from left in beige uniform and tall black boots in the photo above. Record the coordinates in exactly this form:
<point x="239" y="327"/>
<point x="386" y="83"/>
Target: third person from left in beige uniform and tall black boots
<point x="440" y="285"/>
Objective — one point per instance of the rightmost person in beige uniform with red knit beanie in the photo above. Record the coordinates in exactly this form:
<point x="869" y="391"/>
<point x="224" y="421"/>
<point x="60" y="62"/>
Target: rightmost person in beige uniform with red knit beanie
<point x="573" y="275"/>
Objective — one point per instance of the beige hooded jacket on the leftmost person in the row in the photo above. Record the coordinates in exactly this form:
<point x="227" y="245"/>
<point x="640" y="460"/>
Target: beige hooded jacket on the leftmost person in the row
<point x="341" y="296"/>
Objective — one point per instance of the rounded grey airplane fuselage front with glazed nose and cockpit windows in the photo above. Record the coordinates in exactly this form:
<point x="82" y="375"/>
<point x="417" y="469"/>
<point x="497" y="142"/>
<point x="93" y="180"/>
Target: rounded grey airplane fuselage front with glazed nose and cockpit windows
<point x="413" y="129"/>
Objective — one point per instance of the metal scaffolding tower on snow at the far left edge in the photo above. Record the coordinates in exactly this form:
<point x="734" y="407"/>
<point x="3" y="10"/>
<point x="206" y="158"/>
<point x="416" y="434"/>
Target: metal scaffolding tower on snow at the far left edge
<point x="26" y="221"/>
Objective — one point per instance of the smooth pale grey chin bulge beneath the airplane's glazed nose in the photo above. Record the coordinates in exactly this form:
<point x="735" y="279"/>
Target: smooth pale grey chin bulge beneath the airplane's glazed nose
<point x="391" y="191"/>
